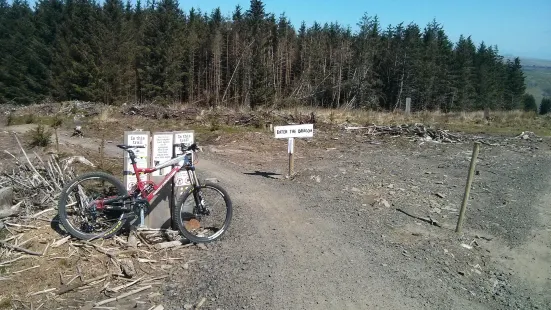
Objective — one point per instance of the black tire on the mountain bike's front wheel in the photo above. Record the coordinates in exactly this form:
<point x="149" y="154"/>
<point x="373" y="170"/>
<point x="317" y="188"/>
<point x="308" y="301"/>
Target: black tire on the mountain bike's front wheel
<point x="177" y="210"/>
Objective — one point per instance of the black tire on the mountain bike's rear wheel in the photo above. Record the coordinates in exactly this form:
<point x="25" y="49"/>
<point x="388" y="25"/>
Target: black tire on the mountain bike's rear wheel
<point x="62" y="206"/>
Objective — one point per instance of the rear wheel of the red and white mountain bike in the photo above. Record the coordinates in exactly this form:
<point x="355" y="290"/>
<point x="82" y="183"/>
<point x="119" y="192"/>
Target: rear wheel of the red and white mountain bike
<point x="77" y="210"/>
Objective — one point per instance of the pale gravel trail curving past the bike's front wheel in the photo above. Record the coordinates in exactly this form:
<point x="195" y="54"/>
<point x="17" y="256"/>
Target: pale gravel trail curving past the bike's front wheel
<point x="278" y="255"/>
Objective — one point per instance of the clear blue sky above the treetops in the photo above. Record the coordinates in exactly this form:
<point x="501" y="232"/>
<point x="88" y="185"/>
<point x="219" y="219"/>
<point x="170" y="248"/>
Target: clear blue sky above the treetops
<point x="520" y="28"/>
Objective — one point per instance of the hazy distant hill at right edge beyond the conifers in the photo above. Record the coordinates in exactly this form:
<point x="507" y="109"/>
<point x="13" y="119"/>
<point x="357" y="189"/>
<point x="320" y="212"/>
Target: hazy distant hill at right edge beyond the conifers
<point x="538" y="76"/>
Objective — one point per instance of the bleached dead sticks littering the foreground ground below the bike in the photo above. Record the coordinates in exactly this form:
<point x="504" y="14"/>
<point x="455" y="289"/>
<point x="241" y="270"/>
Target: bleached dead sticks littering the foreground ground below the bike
<point x="100" y="272"/>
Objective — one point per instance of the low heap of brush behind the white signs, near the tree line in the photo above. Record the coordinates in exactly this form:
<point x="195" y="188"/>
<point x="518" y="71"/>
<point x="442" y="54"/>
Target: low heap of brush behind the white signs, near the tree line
<point x="161" y="112"/>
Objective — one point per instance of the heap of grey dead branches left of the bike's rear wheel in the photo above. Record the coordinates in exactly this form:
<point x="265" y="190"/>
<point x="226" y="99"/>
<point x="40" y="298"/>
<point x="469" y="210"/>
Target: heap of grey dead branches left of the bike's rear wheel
<point x="36" y="183"/>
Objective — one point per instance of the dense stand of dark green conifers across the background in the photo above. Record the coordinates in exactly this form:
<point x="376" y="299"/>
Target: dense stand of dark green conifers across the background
<point x="116" y="52"/>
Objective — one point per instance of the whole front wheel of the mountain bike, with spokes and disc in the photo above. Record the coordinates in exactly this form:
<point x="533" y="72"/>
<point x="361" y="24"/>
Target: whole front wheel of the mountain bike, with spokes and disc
<point x="203" y="214"/>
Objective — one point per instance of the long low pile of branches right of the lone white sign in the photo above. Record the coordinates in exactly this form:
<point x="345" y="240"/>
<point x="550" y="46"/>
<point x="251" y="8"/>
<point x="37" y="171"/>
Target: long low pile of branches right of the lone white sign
<point x="419" y="130"/>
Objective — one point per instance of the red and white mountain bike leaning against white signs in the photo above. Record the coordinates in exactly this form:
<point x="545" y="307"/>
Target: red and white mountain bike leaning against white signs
<point x="104" y="207"/>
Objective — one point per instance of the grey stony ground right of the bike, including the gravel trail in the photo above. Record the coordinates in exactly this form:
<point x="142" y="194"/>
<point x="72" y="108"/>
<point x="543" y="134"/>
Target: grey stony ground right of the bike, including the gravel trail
<point x="345" y="233"/>
